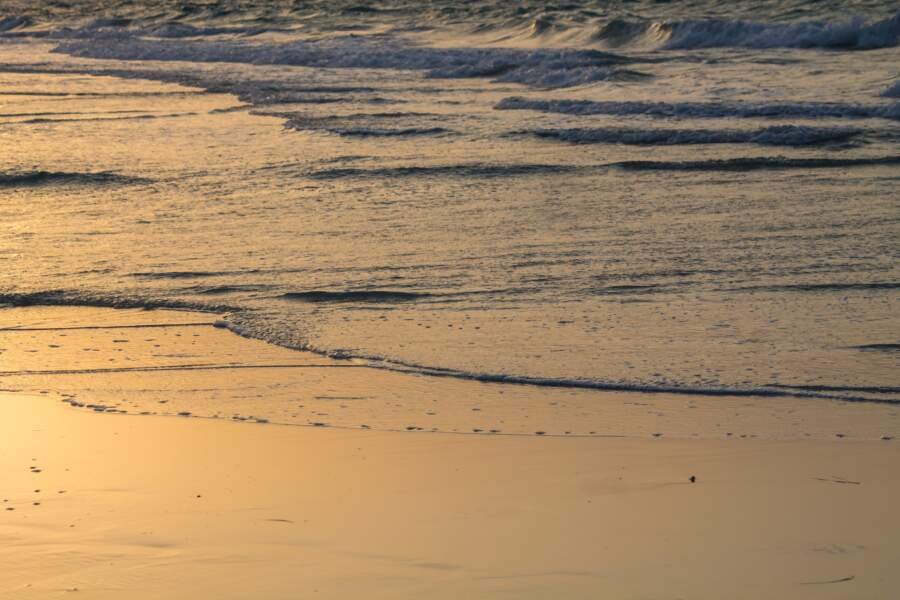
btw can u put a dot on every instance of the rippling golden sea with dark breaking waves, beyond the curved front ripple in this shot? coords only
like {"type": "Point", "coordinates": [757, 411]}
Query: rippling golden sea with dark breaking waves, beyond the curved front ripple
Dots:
{"type": "Point", "coordinates": [686, 196]}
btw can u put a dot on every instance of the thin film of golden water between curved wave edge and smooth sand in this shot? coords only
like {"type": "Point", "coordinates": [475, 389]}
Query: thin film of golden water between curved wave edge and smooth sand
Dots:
{"type": "Point", "coordinates": [184, 363]}
